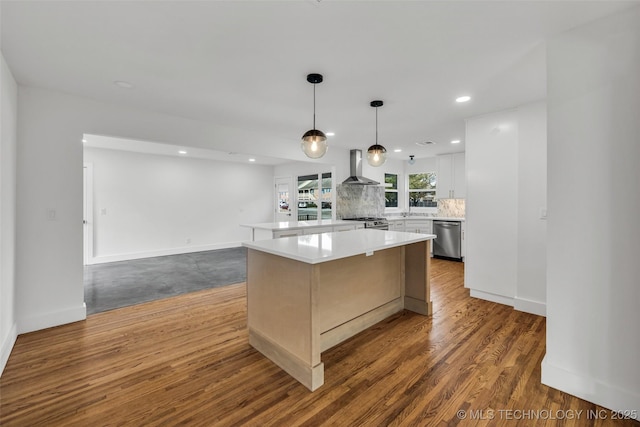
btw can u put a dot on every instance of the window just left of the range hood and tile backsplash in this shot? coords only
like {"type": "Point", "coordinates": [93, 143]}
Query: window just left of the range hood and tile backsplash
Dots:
{"type": "Point", "coordinates": [314, 197]}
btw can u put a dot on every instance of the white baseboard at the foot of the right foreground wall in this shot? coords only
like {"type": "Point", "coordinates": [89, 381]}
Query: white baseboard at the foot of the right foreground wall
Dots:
{"type": "Point", "coordinates": [591, 389]}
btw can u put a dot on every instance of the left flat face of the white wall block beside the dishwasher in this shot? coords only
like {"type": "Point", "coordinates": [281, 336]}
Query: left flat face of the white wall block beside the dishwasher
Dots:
{"type": "Point", "coordinates": [491, 260]}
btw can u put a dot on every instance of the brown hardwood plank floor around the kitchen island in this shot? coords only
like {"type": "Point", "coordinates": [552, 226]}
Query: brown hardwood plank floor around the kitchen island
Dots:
{"type": "Point", "coordinates": [186, 360]}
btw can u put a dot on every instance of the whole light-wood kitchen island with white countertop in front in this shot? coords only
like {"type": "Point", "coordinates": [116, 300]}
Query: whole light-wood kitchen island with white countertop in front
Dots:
{"type": "Point", "coordinates": [305, 294]}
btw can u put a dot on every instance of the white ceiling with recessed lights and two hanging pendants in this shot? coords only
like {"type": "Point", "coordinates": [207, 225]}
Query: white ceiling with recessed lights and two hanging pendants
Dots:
{"type": "Point", "coordinates": [243, 64]}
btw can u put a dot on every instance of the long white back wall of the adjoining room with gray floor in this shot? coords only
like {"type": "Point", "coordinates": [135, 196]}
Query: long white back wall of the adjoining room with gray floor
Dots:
{"type": "Point", "coordinates": [151, 205]}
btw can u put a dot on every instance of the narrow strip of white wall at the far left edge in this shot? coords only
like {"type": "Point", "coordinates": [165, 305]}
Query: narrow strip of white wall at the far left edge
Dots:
{"type": "Point", "coordinates": [8, 142]}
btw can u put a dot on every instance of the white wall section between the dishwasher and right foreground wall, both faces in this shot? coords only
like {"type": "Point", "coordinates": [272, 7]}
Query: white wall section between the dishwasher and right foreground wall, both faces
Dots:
{"type": "Point", "coordinates": [506, 189]}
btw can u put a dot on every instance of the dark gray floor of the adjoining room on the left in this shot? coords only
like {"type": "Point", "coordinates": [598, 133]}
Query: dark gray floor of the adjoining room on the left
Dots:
{"type": "Point", "coordinates": [120, 284]}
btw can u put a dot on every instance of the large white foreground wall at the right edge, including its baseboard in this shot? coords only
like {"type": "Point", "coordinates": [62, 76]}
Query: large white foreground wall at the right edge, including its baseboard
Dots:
{"type": "Point", "coordinates": [593, 275]}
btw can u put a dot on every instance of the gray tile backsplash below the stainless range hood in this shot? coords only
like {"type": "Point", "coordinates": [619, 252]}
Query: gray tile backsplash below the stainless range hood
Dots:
{"type": "Point", "coordinates": [354, 201]}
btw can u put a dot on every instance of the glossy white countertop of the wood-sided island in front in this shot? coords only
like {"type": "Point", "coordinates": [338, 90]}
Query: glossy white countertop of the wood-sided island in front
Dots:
{"type": "Point", "coordinates": [317, 248]}
